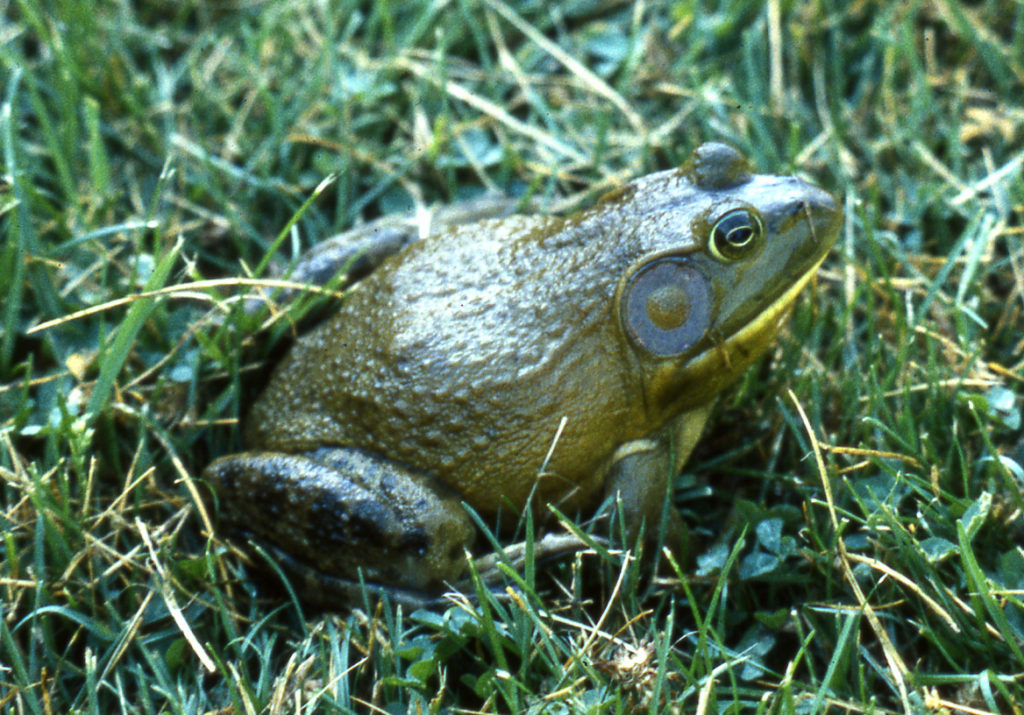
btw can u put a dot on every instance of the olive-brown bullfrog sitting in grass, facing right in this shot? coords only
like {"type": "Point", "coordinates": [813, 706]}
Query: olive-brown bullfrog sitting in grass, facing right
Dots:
{"type": "Point", "coordinates": [523, 360]}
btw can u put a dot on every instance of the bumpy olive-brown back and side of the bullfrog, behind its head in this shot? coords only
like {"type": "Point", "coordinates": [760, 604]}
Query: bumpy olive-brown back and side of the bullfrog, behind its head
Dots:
{"type": "Point", "coordinates": [461, 357]}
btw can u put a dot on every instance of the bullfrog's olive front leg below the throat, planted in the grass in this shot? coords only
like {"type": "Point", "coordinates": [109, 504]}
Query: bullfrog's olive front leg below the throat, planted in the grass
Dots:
{"type": "Point", "coordinates": [641, 474]}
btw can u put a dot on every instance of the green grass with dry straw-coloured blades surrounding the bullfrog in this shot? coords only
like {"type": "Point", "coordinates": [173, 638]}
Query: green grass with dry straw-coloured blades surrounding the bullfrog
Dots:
{"type": "Point", "coordinates": [856, 508]}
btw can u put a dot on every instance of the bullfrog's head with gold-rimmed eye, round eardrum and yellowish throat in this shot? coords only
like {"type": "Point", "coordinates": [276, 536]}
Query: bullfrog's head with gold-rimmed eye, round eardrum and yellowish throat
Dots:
{"type": "Point", "coordinates": [724, 254]}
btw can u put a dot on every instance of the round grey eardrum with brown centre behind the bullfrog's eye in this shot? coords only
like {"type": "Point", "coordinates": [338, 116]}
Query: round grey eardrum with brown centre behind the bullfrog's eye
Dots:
{"type": "Point", "coordinates": [667, 307]}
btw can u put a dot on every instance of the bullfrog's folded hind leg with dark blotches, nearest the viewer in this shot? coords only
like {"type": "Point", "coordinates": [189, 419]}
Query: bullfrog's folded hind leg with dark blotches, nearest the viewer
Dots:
{"type": "Point", "coordinates": [339, 512]}
